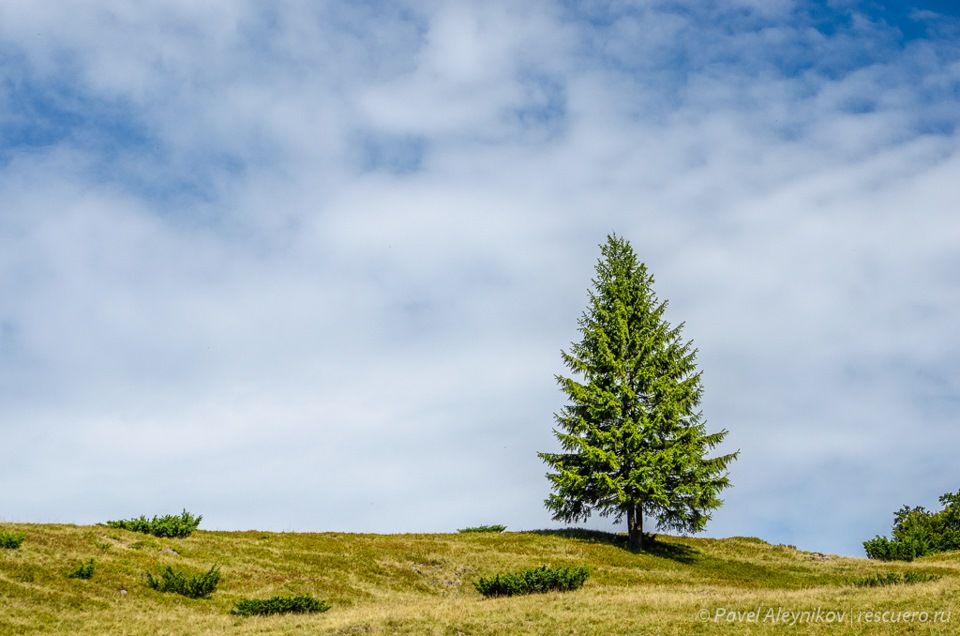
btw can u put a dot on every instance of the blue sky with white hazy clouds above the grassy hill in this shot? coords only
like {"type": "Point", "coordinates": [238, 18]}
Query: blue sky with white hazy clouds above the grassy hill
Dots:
{"type": "Point", "coordinates": [301, 266]}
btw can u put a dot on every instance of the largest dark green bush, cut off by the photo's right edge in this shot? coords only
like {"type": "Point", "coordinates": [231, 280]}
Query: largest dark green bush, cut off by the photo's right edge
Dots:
{"type": "Point", "coordinates": [918, 532]}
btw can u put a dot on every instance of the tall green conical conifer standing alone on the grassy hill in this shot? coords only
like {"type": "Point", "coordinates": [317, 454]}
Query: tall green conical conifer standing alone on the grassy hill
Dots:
{"type": "Point", "coordinates": [634, 442]}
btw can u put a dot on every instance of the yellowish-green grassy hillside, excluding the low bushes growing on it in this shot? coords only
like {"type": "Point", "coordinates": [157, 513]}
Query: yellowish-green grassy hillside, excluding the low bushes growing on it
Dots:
{"type": "Point", "coordinates": [423, 584]}
